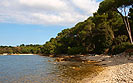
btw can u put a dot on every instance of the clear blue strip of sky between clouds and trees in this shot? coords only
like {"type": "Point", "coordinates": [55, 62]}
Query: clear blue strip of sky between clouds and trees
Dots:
{"type": "Point", "coordinates": [16, 34]}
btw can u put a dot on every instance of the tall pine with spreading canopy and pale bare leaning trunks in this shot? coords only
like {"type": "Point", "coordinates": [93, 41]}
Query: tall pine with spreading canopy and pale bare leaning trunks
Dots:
{"type": "Point", "coordinates": [122, 7]}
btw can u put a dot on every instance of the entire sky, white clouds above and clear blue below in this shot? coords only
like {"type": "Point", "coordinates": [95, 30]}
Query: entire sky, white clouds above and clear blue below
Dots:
{"type": "Point", "coordinates": [36, 21]}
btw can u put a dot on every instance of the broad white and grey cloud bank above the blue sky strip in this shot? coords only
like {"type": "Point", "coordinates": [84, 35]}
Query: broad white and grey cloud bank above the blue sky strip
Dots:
{"type": "Point", "coordinates": [47, 12]}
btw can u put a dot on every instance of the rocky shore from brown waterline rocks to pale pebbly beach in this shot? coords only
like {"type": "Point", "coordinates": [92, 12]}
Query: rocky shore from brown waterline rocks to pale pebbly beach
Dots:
{"type": "Point", "coordinates": [116, 68]}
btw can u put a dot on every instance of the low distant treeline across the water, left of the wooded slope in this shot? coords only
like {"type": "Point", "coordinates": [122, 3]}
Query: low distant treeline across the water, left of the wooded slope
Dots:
{"type": "Point", "coordinates": [22, 49]}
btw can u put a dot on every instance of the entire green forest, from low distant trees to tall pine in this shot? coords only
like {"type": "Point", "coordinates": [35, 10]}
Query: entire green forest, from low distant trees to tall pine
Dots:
{"type": "Point", "coordinates": [107, 31]}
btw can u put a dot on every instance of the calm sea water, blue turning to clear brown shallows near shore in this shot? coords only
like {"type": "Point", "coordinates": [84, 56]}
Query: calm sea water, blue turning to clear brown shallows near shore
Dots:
{"type": "Point", "coordinates": [38, 69]}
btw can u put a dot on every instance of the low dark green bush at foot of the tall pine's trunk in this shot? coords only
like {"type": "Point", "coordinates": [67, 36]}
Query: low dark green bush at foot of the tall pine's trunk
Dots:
{"type": "Point", "coordinates": [121, 48]}
